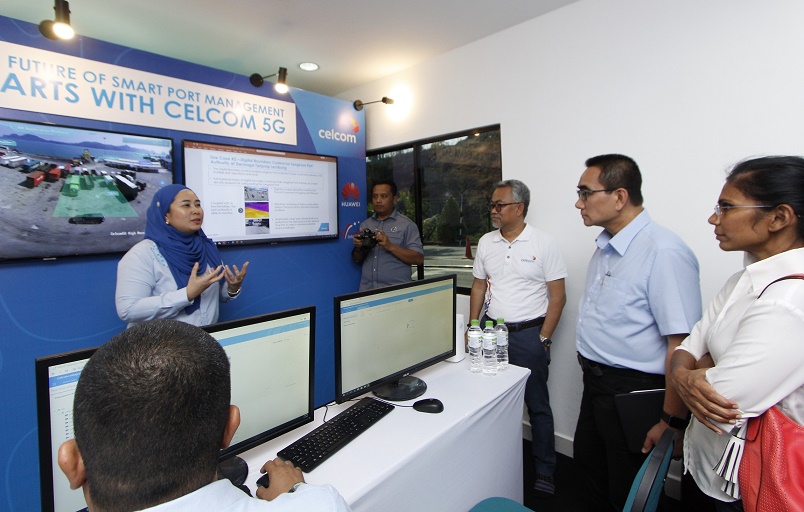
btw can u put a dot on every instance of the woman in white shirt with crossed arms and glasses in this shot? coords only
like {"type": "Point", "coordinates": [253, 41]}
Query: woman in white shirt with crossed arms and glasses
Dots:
{"type": "Point", "coordinates": [747, 353]}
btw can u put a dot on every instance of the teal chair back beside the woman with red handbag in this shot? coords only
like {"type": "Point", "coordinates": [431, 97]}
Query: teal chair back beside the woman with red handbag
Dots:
{"type": "Point", "coordinates": [649, 482]}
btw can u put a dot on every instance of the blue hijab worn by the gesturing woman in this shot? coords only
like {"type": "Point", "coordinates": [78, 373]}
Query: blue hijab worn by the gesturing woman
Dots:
{"type": "Point", "coordinates": [180, 250]}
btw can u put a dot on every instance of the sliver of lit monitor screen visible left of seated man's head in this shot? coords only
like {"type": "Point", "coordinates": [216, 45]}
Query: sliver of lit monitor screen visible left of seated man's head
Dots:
{"type": "Point", "coordinates": [62, 381]}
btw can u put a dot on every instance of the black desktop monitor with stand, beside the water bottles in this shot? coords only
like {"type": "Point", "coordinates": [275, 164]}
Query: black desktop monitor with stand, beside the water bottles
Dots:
{"type": "Point", "coordinates": [384, 335]}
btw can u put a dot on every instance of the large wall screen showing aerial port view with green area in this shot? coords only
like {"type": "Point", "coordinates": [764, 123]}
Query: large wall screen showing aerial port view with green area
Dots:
{"type": "Point", "coordinates": [71, 191]}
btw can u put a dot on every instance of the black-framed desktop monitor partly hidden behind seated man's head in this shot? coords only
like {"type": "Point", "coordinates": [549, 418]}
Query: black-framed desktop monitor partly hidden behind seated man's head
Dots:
{"type": "Point", "coordinates": [272, 361]}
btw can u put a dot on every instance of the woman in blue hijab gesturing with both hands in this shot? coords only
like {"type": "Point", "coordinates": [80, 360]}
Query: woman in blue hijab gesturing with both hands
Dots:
{"type": "Point", "coordinates": [176, 271]}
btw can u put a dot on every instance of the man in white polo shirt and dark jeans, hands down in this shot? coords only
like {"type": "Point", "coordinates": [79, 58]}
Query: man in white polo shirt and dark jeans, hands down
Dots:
{"type": "Point", "coordinates": [519, 276]}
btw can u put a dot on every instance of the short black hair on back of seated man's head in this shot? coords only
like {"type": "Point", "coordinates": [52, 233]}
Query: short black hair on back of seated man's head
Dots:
{"type": "Point", "coordinates": [151, 407]}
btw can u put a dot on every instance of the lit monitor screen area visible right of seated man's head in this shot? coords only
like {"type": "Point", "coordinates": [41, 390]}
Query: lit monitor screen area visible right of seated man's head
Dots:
{"type": "Point", "coordinates": [270, 367]}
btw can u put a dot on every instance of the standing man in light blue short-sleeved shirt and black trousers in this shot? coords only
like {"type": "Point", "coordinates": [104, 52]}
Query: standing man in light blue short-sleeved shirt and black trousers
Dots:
{"type": "Point", "coordinates": [641, 298]}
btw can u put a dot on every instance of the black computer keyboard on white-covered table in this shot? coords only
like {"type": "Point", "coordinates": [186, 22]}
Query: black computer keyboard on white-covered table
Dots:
{"type": "Point", "coordinates": [322, 443]}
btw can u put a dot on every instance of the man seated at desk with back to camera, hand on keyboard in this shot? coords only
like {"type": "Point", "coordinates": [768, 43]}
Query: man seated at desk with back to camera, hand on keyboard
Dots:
{"type": "Point", "coordinates": [151, 413]}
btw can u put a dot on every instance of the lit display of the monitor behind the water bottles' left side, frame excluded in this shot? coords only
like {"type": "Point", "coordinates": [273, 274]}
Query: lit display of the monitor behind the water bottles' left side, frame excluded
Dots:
{"type": "Point", "coordinates": [416, 326]}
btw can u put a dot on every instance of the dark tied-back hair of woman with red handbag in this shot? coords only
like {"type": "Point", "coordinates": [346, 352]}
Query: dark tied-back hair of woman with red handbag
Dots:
{"type": "Point", "coordinates": [772, 180]}
